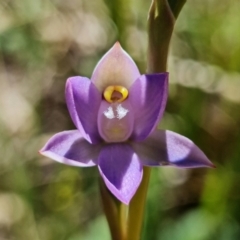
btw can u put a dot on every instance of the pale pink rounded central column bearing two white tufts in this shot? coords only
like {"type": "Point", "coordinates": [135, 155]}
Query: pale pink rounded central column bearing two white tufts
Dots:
{"type": "Point", "coordinates": [115, 121]}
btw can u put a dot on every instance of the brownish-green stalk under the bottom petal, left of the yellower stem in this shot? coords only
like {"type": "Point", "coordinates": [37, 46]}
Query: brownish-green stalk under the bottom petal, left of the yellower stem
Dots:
{"type": "Point", "coordinates": [115, 211]}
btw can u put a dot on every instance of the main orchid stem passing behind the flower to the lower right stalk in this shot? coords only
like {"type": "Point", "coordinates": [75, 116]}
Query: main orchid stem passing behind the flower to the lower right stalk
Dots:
{"type": "Point", "coordinates": [161, 19]}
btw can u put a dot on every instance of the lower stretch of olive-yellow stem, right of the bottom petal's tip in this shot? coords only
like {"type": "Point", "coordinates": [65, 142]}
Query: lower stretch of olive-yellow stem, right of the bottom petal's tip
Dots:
{"type": "Point", "coordinates": [136, 208]}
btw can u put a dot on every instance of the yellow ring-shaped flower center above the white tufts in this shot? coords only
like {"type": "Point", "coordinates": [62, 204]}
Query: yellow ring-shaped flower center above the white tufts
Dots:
{"type": "Point", "coordinates": [115, 94]}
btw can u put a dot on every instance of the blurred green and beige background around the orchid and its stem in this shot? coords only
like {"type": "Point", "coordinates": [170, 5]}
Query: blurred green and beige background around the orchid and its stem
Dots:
{"type": "Point", "coordinates": [42, 42]}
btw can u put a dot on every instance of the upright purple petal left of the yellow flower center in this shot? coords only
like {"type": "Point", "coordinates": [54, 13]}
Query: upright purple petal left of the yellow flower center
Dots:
{"type": "Point", "coordinates": [83, 101]}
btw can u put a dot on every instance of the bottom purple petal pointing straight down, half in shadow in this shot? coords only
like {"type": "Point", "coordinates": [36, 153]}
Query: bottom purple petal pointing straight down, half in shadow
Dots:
{"type": "Point", "coordinates": [121, 170]}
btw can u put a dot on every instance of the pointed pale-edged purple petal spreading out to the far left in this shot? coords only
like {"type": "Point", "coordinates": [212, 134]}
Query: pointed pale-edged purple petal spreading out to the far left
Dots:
{"type": "Point", "coordinates": [70, 148]}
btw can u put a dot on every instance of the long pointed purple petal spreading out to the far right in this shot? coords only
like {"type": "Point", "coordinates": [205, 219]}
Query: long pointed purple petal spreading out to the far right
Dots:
{"type": "Point", "coordinates": [168, 148]}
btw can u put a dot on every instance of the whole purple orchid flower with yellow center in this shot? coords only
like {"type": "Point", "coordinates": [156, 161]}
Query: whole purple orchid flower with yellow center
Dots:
{"type": "Point", "coordinates": [116, 115]}
